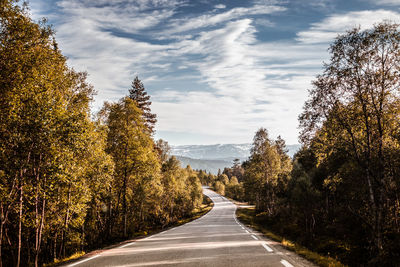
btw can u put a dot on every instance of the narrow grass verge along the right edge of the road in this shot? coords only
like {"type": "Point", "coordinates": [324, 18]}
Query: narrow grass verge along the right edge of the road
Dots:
{"type": "Point", "coordinates": [248, 217]}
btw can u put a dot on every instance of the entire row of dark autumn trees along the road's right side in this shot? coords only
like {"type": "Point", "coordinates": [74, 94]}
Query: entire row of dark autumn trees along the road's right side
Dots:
{"type": "Point", "coordinates": [340, 195]}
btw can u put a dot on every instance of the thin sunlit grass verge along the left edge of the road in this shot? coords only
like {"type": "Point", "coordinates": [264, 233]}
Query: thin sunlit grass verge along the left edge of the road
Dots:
{"type": "Point", "coordinates": [197, 213]}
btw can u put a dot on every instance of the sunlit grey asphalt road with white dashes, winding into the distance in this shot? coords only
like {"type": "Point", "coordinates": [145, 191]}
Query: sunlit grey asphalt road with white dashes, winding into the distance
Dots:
{"type": "Point", "coordinates": [216, 239]}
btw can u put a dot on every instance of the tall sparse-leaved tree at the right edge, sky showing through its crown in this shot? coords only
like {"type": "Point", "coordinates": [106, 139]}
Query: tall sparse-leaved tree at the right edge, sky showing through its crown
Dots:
{"type": "Point", "coordinates": [350, 123]}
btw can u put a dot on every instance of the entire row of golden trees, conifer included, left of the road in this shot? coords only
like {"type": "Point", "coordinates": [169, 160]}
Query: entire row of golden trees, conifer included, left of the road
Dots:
{"type": "Point", "coordinates": [69, 182]}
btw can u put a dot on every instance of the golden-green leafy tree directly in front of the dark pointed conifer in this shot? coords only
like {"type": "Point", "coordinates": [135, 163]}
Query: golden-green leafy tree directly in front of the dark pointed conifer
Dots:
{"type": "Point", "coordinates": [136, 181]}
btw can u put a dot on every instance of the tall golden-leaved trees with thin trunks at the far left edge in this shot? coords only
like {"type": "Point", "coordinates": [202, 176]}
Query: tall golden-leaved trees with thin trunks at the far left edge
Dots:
{"type": "Point", "coordinates": [46, 140]}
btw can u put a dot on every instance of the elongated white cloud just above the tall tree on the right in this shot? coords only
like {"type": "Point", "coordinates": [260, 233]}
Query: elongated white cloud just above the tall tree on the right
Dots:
{"type": "Point", "coordinates": [326, 30]}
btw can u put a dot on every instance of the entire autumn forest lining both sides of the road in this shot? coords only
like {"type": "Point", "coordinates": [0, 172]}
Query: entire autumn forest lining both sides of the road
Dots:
{"type": "Point", "coordinates": [72, 180]}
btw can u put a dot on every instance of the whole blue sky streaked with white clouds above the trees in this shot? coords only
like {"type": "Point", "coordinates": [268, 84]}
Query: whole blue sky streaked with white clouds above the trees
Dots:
{"type": "Point", "coordinates": [216, 71]}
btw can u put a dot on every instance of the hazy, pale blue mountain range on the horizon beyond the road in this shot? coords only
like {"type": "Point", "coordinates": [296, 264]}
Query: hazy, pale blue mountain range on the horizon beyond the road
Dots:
{"type": "Point", "coordinates": [214, 157]}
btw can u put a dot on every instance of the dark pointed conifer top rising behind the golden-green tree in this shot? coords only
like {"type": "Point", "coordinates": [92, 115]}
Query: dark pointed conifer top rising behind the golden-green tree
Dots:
{"type": "Point", "coordinates": [138, 93]}
